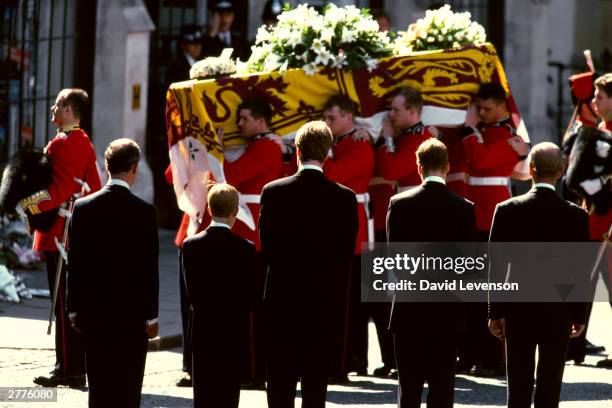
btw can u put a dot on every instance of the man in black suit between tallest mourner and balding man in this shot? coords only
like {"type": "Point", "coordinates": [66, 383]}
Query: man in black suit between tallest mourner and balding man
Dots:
{"type": "Point", "coordinates": [426, 335]}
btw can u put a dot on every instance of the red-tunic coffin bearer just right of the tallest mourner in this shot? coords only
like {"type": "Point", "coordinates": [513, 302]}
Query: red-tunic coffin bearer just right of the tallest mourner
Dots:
{"type": "Point", "coordinates": [351, 163]}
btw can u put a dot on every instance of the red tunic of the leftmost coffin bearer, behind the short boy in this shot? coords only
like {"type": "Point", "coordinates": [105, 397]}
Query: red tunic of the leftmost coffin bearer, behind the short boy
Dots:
{"type": "Point", "coordinates": [260, 164]}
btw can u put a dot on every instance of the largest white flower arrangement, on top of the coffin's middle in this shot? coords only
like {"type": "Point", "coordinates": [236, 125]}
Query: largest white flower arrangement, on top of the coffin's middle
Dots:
{"type": "Point", "coordinates": [341, 37]}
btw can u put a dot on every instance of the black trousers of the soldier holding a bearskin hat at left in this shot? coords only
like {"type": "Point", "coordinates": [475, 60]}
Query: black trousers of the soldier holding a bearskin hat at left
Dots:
{"type": "Point", "coordinates": [69, 348]}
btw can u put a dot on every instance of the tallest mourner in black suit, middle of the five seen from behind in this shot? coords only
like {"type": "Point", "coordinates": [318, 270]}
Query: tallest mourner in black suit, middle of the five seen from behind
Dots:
{"type": "Point", "coordinates": [308, 227]}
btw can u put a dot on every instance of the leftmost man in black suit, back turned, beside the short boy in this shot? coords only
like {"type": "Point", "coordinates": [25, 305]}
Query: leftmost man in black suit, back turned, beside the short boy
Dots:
{"type": "Point", "coordinates": [113, 280]}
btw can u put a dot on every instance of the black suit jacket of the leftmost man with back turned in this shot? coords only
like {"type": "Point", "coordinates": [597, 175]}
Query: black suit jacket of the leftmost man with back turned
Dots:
{"type": "Point", "coordinates": [112, 260]}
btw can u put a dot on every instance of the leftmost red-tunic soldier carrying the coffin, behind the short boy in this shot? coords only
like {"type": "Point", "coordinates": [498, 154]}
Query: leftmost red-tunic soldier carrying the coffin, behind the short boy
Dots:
{"type": "Point", "coordinates": [258, 165]}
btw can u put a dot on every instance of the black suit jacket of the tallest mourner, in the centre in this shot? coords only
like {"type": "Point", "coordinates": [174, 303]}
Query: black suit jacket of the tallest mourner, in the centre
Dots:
{"type": "Point", "coordinates": [308, 226]}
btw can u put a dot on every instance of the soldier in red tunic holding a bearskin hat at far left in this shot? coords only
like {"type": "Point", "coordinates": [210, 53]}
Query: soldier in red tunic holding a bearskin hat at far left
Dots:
{"type": "Point", "coordinates": [73, 159]}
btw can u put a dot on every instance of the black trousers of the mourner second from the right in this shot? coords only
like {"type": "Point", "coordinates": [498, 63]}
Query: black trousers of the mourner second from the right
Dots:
{"type": "Point", "coordinates": [425, 357]}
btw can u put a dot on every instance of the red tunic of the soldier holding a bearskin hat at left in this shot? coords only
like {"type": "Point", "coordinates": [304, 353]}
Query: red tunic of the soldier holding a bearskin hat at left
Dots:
{"type": "Point", "coordinates": [73, 157]}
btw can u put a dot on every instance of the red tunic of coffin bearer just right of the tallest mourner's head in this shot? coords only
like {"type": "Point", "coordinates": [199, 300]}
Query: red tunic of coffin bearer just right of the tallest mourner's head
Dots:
{"type": "Point", "coordinates": [352, 165]}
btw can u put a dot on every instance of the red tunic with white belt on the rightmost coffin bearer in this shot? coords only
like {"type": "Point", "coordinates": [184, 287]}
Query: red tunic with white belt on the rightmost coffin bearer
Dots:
{"type": "Point", "coordinates": [491, 161]}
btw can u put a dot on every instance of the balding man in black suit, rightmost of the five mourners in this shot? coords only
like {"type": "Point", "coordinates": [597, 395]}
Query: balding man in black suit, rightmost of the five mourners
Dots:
{"type": "Point", "coordinates": [537, 216]}
